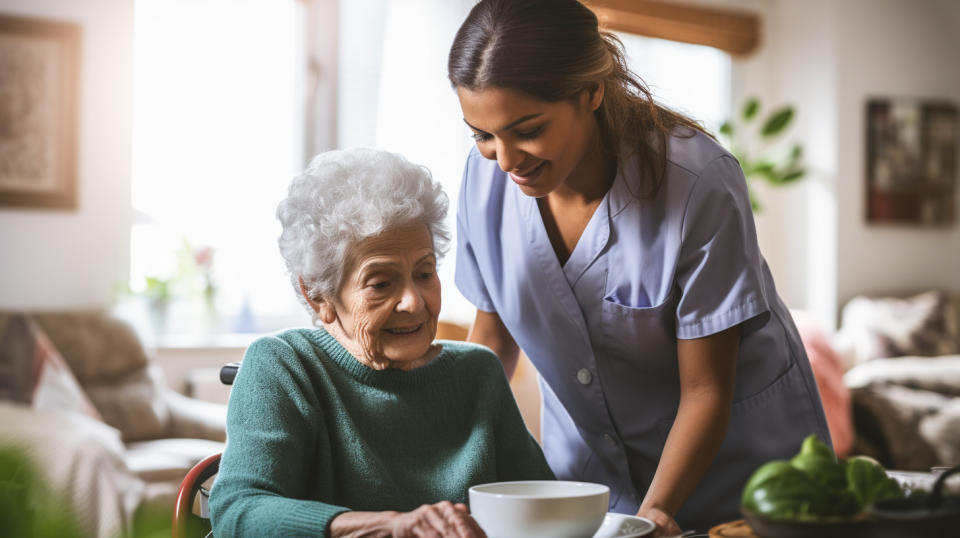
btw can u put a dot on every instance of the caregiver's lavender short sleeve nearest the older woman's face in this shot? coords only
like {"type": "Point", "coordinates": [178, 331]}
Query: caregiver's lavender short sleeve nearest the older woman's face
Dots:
{"type": "Point", "coordinates": [467, 274]}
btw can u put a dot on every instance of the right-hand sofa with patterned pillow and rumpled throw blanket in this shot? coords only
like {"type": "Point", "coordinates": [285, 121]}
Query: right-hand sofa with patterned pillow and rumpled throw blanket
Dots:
{"type": "Point", "coordinates": [901, 357]}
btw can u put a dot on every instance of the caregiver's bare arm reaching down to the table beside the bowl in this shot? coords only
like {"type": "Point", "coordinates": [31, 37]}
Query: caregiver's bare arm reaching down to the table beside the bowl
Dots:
{"type": "Point", "coordinates": [707, 367]}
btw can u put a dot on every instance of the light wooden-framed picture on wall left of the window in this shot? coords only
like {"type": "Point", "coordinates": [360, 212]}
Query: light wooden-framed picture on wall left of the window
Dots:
{"type": "Point", "coordinates": [39, 86]}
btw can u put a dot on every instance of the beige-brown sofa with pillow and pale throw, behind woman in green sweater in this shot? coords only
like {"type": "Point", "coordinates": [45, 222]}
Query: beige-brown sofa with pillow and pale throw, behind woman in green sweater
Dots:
{"type": "Point", "coordinates": [81, 397]}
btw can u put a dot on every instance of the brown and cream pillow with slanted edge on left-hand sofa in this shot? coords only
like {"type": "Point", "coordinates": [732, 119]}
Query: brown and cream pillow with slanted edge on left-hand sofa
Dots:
{"type": "Point", "coordinates": [33, 372]}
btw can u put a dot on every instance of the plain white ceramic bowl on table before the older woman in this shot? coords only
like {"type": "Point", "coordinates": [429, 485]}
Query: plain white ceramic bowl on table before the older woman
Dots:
{"type": "Point", "coordinates": [539, 508]}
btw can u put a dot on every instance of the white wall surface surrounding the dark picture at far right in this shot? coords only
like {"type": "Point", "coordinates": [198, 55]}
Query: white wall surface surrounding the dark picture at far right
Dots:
{"type": "Point", "coordinates": [896, 48]}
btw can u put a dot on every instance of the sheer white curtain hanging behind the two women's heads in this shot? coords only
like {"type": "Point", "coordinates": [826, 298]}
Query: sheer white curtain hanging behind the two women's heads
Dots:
{"type": "Point", "coordinates": [407, 104]}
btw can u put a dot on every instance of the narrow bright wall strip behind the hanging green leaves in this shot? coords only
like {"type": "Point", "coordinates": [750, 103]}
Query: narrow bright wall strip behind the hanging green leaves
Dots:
{"type": "Point", "coordinates": [807, 75]}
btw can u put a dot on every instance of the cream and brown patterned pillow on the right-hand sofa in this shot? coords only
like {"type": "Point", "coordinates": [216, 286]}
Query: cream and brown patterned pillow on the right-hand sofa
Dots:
{"type": "Point", "coordinates": [924, 325]}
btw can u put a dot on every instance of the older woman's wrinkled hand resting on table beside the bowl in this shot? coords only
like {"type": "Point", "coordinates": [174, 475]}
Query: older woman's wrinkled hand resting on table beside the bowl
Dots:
{"type": "Point", "coordinates": [441, 520]}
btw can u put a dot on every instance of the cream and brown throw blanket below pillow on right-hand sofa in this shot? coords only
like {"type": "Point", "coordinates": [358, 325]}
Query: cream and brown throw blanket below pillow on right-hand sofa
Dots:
{"type": "Point", "coordinates": [907, 411]}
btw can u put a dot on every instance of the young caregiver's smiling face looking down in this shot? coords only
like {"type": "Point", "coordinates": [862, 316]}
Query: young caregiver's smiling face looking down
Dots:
{"type": "Point", "coordinates": [541, 145]}
